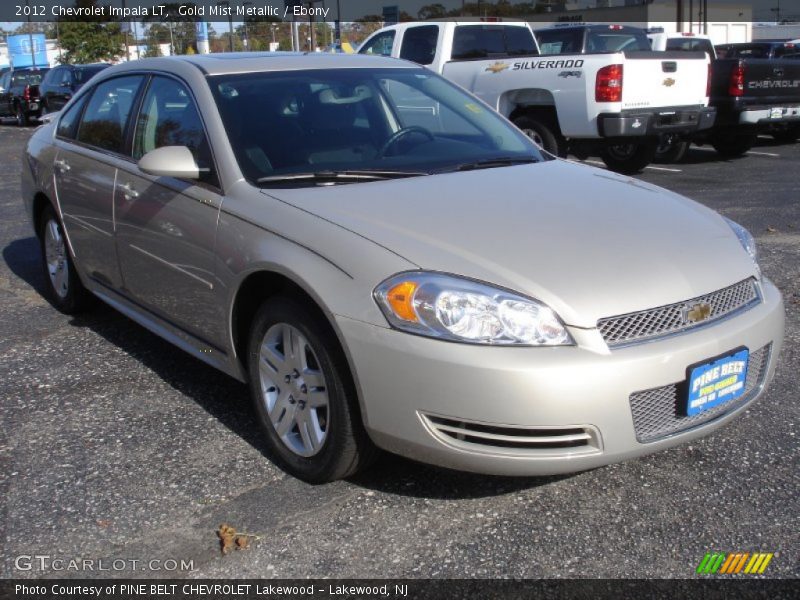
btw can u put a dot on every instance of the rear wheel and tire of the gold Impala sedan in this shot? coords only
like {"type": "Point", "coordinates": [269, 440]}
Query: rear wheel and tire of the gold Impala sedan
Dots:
{"type": "Point", "coordinates": [64, 287]}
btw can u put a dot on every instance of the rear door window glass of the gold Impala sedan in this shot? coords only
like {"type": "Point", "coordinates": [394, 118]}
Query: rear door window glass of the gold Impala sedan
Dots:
{"type": "Point", "coordinates": [106, 115]}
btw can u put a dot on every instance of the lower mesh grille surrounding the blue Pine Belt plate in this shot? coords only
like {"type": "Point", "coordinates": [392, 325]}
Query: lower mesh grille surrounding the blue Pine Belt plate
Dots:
{"type": "Point", "coordinates": [658, 412]}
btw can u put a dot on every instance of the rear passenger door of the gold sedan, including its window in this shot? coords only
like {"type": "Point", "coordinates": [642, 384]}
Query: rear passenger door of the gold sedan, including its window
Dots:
{"type": "Point", "coordinates": [91, 147]}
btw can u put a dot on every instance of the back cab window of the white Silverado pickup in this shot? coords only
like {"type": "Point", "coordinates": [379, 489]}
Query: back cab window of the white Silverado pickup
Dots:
{"type": "Point", "coordinates": [488, 41]}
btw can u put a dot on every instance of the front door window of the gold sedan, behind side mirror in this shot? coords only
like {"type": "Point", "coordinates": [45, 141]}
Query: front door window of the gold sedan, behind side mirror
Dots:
{"type": "Point", "coordinates": [169, 117]}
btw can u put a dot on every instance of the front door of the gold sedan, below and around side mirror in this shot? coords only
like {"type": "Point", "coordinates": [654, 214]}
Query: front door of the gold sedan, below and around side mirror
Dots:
{"type": "Point", "coordinates": [166, 227]}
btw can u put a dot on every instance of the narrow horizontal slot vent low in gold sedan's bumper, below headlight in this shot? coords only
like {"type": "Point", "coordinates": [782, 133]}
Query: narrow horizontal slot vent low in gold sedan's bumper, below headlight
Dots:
{"type": "Point", "coordinates": [478, 436]}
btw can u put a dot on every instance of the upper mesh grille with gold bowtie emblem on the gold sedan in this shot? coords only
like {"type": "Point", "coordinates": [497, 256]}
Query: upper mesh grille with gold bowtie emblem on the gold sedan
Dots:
{"type": "Point", "coordinates": [656, 322]}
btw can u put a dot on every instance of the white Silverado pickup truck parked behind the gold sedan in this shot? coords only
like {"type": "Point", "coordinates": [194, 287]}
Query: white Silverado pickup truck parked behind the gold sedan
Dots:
{"type": "Point", "coordinates": [612, 102]}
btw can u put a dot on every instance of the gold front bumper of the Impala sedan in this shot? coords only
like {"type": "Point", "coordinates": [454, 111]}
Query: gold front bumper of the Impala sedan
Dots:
{"type": "Point", "coordinates": [416, 391]}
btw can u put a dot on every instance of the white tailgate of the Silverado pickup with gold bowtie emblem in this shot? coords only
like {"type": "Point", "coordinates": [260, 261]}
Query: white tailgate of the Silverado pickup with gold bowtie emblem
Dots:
{"type": "Point", "coordinates": [664, 79]}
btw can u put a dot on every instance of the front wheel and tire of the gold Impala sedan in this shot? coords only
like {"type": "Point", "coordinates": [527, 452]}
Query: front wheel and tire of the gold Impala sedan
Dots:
{"type": "Point", "coordinates": [305, 391]}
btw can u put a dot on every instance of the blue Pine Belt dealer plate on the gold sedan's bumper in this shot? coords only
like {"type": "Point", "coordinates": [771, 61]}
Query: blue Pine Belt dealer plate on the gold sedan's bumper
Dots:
{"type": "Point", "coordinates": [718, 381]}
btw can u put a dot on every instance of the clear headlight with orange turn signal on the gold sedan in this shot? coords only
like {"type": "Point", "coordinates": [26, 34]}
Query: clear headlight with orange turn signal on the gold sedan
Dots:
{"type": "Point", "coordinates": [452, 308]}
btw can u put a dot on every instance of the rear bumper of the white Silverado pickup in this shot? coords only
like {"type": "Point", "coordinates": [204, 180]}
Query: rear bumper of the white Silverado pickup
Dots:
{"type": "Point", "coordinates": [655, 122]}
